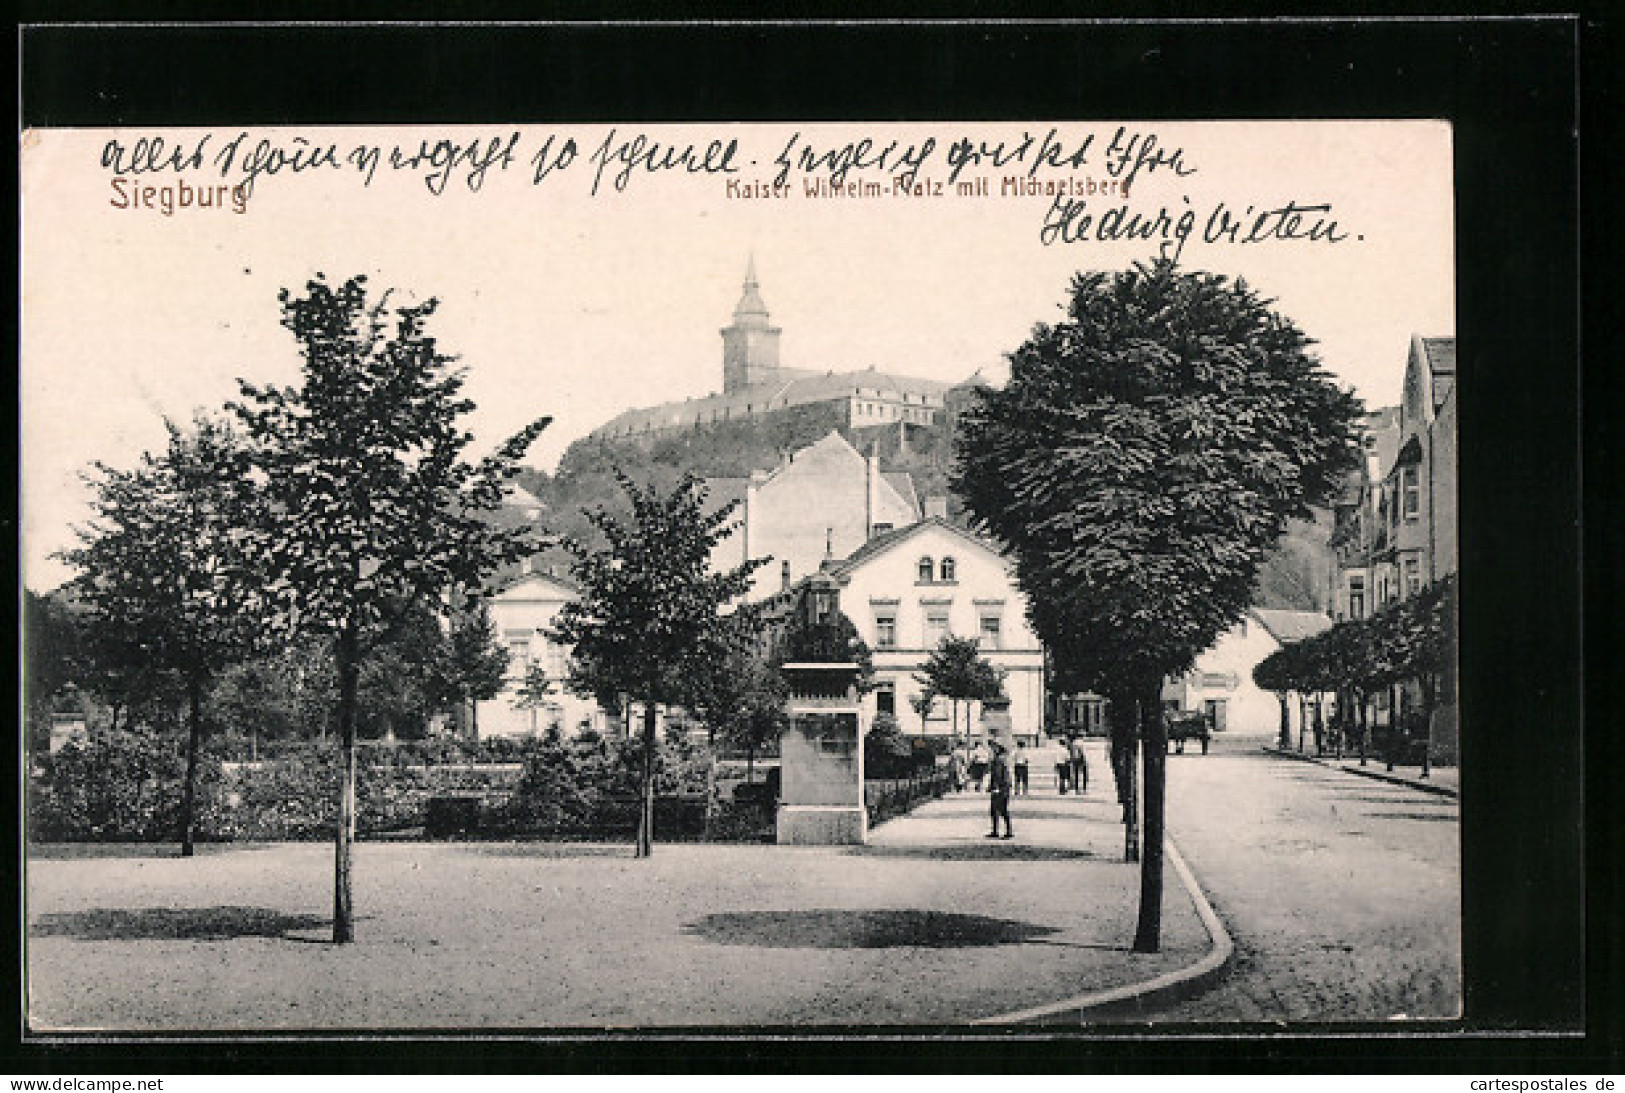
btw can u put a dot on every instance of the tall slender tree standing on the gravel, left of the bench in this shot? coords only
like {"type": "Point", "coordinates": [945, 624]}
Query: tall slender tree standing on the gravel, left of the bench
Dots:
{"type": "Point", "coordinates": [371, 506]}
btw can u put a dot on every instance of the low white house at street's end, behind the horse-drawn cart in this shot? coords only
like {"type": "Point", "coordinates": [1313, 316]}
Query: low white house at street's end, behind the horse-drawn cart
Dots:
{"type": "Point", "coordinates": [1221, 685]}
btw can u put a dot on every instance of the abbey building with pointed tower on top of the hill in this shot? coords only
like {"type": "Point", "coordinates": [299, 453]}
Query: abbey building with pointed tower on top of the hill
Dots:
{"type": "Point", "coordinates": [755, 384]}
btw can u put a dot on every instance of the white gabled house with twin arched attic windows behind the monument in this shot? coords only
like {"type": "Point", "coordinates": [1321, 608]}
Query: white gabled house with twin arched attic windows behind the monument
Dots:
{"type": "Point", "coordinates": [908, 589]}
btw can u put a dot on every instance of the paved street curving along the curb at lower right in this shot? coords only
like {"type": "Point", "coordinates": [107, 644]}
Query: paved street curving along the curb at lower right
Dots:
{"type": "Point", "coordinates": [1341, 892]}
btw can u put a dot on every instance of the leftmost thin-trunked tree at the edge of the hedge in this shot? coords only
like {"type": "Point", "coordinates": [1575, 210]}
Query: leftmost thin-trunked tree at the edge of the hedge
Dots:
{"type": "Point", "coordinates": [168, 574]}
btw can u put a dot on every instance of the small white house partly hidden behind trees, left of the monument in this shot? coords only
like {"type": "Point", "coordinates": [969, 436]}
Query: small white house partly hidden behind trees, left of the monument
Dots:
{"type": "Point", "coordinates": [522, 613]}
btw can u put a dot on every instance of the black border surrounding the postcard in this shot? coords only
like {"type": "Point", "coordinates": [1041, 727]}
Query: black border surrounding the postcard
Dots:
{"type": "Point", "coordinates": [1509, 87]}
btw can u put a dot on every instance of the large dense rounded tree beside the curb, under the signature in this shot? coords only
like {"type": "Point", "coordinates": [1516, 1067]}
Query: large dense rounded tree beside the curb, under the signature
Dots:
{"type": "Point", "coordinates": [1143, 459]}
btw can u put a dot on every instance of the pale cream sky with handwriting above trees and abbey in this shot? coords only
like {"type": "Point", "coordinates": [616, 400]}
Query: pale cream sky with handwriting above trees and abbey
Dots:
{"type": "Point", "coordinates": [578, 305]}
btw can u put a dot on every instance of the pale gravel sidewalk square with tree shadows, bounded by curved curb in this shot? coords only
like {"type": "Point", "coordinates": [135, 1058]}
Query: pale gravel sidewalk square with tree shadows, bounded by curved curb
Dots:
{"type": "Point", "coordinates": [932, 925]}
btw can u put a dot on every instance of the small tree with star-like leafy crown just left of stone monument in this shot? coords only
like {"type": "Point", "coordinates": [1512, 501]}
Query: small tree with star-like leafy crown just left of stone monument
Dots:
{"type": "Point", "coordinates": [652, 618]}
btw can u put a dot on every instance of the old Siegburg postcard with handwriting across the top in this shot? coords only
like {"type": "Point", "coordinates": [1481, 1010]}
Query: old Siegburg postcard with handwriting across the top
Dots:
{"type": "Point", "coordinates": [984, 394]}
